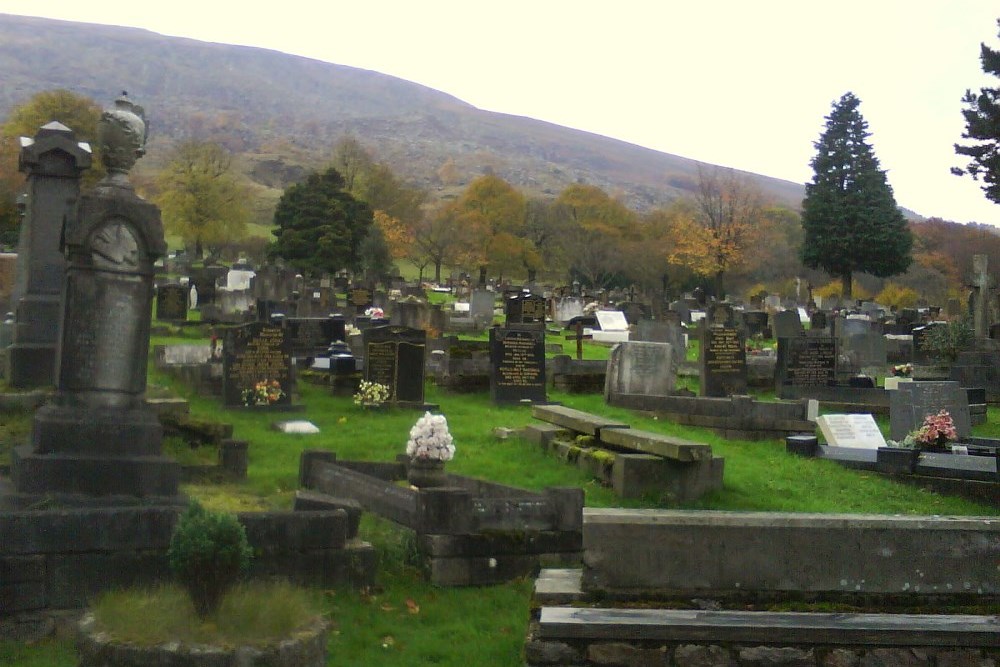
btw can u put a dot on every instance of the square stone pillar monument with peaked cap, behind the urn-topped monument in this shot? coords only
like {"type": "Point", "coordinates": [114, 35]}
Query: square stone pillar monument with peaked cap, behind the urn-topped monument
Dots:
{"type": "Point", "coordinates": [53, 162]}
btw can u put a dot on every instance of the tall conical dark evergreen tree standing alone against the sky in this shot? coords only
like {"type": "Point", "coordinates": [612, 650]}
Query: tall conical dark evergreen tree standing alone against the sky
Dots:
{"type": "Point", "coordinates": [849, 214]}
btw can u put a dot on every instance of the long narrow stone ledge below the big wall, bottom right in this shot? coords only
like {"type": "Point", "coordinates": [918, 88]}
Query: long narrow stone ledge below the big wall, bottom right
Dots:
{"type": "Point", "coordinates": [784, 628]}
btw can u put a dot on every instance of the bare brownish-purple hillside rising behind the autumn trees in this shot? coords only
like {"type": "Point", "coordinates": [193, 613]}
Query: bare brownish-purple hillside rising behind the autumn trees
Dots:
{"type": "Point", "coordinates": [289, 111]}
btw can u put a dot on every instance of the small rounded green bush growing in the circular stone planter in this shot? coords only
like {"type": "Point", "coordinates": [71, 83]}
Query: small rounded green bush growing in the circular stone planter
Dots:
{"type": "Point", "coordinates": [208, 554]}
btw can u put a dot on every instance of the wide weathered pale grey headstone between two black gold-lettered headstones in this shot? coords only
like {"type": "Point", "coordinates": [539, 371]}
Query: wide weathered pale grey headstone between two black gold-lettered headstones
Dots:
{"type": "Point", "coordinates": [642, 368]}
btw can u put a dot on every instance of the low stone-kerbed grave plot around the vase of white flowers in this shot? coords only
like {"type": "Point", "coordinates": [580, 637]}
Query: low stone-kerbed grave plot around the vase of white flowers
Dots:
{"type": "Point", "coordinates": [471, 532]}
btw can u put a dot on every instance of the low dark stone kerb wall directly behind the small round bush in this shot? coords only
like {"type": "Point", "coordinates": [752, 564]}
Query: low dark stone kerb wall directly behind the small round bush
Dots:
{"type": "Point", "coordinates": [58, 559]}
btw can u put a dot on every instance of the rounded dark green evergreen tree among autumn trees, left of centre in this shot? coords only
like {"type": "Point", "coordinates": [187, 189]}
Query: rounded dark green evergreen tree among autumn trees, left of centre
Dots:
{"type": "Point", "coordinates": [320, 226]}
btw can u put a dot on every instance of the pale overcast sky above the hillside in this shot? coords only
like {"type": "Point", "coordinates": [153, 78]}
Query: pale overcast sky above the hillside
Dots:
{"type": "Point", "coordinates": [730, 82]}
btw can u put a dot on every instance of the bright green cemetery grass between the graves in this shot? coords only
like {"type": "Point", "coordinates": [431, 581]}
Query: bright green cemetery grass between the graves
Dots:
{"type": "Point", "coordinates": [402, 620]}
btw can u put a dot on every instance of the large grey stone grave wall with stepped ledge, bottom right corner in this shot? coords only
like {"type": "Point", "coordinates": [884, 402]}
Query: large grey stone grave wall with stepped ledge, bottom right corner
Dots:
{"type": "Point", "coordinates": [640, 563]}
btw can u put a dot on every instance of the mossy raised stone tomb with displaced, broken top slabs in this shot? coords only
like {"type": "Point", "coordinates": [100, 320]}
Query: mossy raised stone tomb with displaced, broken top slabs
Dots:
{"type": "Point", "coordinates": [633, 462]}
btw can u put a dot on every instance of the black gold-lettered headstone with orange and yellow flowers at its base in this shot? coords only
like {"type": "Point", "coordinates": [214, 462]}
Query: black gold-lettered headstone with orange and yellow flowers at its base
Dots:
{"type": "Point", "coordinates": [256, 366]}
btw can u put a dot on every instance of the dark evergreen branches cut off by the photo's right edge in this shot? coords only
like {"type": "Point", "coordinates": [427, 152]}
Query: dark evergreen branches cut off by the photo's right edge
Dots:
{"type": "Point", "coordinates": [982, 124]}
